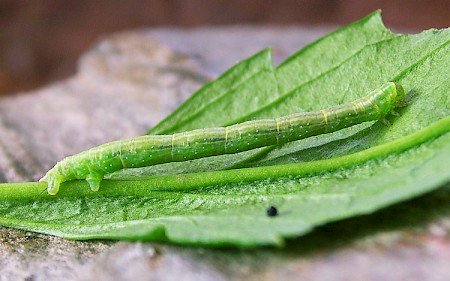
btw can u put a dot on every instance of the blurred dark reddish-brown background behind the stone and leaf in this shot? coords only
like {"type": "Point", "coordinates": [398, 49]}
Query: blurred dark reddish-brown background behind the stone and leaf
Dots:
{"type": "Point", "coordinates": [40, 41]}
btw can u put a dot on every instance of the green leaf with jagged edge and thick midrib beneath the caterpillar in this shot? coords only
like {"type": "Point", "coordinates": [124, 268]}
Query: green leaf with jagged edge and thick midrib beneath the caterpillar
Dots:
{"type": "Point", "coordinates": [311, 182]}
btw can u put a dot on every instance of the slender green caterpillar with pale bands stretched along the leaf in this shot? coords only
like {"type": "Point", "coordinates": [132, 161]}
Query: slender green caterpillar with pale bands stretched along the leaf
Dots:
{"type": "Point", "coordinates": [149, 150]}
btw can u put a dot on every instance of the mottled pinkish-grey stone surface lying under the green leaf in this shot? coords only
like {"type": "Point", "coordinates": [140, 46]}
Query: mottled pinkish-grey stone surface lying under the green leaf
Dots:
{"type": "Point", "coordinates": [124, 85]}
